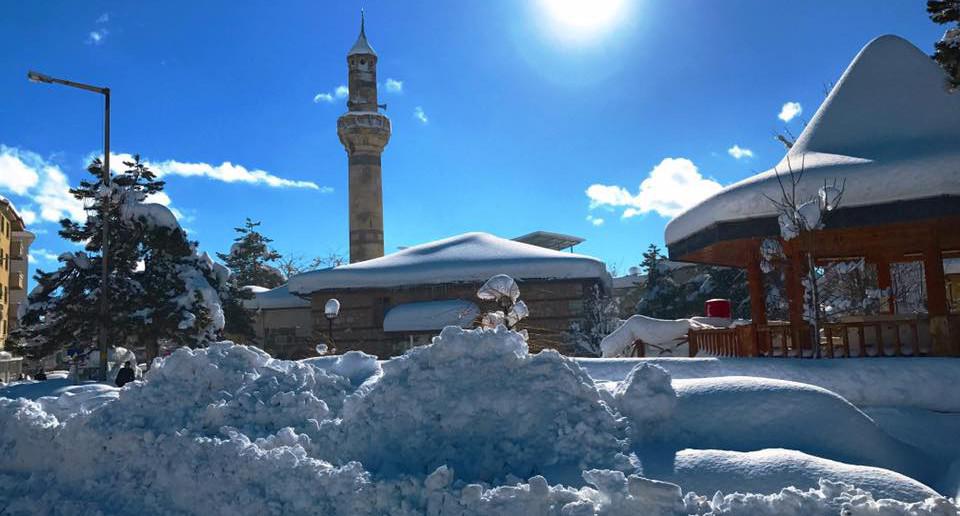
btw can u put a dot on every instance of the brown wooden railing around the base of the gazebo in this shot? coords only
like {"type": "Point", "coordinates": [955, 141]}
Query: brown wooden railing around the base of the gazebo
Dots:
{"type": "Point", "coordinates": [864, 338]}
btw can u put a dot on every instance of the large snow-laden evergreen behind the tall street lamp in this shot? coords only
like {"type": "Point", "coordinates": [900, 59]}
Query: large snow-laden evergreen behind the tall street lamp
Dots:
{"type": "Point", "coordinates": [161, 290]}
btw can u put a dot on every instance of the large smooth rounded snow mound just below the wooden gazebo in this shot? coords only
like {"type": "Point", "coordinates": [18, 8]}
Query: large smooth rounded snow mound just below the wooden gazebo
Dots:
{"type": "Point", "coordinates": [756, 413]}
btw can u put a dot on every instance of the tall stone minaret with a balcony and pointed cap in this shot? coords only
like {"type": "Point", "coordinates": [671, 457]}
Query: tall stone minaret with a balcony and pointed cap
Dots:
{"type": "Point", "coordinates": [364, 132]}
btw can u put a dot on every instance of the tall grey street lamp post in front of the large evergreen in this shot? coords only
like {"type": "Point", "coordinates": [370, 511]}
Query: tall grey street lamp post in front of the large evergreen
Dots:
{"type": "Point", "coordinates": [105, 217]}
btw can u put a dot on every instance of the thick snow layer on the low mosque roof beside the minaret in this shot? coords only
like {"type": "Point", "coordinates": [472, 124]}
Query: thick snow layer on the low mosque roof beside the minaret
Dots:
{"type": "Point", "coordinates": [469, 257]}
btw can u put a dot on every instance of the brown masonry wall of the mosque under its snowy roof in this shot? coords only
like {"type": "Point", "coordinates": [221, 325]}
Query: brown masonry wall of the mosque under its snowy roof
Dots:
{"type": "Point", "coordinates": [554, 305]}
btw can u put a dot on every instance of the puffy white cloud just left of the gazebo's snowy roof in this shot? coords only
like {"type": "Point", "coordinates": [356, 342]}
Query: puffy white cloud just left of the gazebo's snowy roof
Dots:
{"type": "Point", "coordinates": [672, 186]}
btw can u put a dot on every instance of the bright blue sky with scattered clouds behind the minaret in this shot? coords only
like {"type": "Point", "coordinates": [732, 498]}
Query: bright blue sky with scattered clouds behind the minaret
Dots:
{"type": "Point", "coordinates": [505, 117]}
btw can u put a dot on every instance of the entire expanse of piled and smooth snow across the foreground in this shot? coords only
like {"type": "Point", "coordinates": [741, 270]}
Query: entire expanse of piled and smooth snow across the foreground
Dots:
{"type": "Point", "coordinates": [474, 424]}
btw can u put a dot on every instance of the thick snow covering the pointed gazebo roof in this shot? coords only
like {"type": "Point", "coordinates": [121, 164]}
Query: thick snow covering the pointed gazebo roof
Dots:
{"type": "Point", "coordinates": [889, 128]}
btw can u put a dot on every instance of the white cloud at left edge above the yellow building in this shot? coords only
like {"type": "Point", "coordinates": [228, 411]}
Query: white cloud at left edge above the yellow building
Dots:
{"type": "Point", "coordinates": [27, 174]}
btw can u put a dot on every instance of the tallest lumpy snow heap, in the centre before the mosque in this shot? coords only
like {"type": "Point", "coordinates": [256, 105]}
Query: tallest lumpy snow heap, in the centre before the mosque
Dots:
{"type": "Point", "coordinates": [478, 402]}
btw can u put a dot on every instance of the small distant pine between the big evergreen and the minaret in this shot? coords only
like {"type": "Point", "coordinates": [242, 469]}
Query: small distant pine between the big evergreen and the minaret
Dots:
{"type": "Point", "coordinates": [249, 258]}
